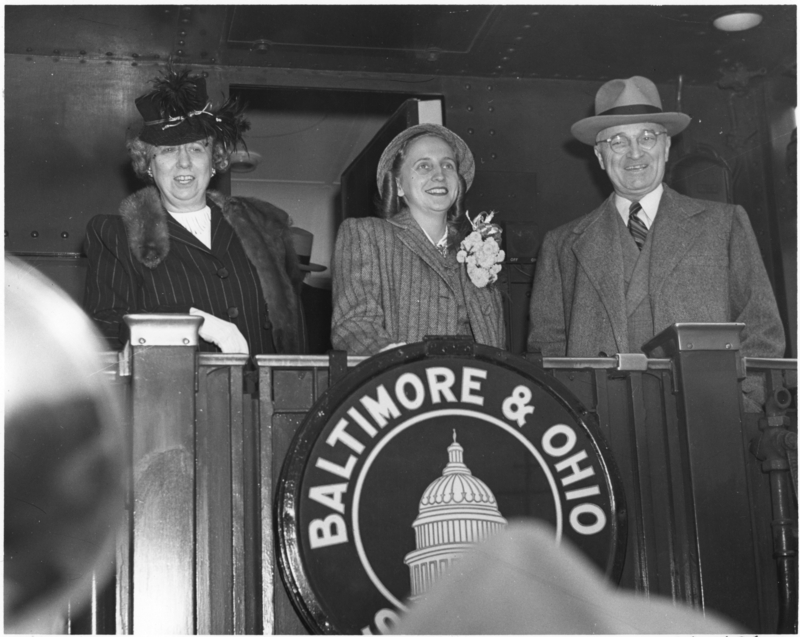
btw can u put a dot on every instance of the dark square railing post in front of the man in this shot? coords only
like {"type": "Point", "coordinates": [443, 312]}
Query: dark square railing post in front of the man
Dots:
{"type": "Point", "coordinates": [708, 368]}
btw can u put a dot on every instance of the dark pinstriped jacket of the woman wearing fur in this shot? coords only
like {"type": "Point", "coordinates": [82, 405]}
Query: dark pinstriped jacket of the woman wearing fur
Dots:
{"type": "Point", "coordinates": [216, 281]}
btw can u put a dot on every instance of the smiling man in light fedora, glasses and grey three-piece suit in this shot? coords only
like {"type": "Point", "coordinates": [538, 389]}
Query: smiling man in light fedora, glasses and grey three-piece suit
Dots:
{"type": "Point", "coordinates": [648, 257]}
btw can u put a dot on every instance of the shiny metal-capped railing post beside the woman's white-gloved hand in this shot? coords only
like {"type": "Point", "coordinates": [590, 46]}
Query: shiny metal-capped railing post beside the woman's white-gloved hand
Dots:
{"type": "Point", "coordinates": [163, 452]}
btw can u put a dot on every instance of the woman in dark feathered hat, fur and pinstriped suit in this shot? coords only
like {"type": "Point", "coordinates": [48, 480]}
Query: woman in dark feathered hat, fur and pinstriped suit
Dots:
{"type": "Point", "coordinates": [177, 247]}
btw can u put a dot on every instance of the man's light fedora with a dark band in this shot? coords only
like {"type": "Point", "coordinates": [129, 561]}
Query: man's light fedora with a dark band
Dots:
{"type": "Point", "coordinates": [631, 101]}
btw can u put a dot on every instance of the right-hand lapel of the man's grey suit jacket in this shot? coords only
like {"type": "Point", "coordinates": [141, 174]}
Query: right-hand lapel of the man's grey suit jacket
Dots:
{"type": "Point", "coordinates": [674, 232]}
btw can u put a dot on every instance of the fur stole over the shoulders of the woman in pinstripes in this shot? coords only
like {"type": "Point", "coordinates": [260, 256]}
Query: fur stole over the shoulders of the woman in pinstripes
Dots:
{"type": "Point", "coordinates": [262, 230]}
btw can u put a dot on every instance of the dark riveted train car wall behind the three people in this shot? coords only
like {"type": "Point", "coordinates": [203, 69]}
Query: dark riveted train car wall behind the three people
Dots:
{"type": "Point", "coordinates": [67, 121]}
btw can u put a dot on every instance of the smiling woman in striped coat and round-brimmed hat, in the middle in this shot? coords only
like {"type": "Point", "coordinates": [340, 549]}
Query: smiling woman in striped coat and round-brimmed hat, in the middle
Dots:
{"type": "Point", "coordinates": [396, 279]}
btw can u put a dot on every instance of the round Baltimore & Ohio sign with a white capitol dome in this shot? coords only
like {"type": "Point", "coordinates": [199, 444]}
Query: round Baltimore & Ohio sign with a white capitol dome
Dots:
{"type": "Point", "coordinates": [417, 455]}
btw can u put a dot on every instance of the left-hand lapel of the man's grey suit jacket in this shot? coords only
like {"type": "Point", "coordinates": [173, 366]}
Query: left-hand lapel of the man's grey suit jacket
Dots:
{"type": "Point", "coordinates": [599, 253]}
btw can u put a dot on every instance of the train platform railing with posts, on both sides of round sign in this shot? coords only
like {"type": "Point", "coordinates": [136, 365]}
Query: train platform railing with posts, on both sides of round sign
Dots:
{"type": "Point", "coordinates": [709, 475]}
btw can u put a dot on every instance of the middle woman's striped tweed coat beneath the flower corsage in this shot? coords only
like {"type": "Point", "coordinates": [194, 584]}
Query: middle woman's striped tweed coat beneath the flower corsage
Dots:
{"type": "Point", "coordinates": [391, 285]}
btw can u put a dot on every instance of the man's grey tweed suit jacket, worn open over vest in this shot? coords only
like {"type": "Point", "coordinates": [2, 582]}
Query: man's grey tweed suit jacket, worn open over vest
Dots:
{"type": "Point", "coordinates": [705, 267]}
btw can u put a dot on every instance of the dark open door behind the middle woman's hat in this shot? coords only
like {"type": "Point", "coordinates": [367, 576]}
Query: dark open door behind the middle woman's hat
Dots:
{"type": "Point", "coordinates": [359, 189]}
